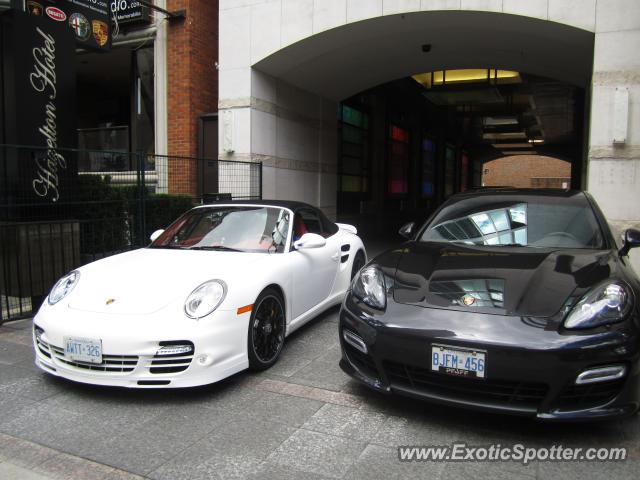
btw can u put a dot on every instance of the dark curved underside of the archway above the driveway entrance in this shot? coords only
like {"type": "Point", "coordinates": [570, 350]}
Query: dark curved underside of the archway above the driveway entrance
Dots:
{"type": "Point", "coordinates": [363, 57]}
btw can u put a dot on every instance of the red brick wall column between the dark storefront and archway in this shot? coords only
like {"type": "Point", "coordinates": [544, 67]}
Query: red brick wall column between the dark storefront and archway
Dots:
{"type": "Point", "coordinates": [192, 84]}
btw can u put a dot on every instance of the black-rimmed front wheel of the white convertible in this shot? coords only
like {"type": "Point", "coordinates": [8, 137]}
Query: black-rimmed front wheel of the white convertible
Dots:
{"type": "Point", "coordinates": [267, 327]}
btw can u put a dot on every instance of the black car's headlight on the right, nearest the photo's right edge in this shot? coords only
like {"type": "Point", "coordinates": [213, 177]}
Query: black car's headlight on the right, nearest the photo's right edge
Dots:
{"type": "Point", "coordinates": [609, 302]}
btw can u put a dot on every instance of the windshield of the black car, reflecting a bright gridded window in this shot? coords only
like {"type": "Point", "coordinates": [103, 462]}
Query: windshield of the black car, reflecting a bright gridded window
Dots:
{"type": "Point", "coordinates": [529, 221]}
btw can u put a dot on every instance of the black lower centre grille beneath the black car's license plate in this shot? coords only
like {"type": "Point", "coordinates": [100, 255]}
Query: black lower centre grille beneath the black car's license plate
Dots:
{"type": "Point", "coordinates": [504, 392]}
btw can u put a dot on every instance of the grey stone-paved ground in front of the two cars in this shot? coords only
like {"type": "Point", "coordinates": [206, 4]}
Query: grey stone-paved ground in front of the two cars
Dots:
{"type": "Point", "coordinates": [303, 418]}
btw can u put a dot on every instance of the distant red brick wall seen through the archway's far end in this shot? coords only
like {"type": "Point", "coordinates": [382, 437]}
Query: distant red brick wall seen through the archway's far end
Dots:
{"type": "Point", "coordinates": [526, 171]}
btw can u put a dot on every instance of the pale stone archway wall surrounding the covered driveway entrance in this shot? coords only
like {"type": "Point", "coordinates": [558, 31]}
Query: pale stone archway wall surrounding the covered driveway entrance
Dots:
{"type": "Point", "coordinates": [284, 65]}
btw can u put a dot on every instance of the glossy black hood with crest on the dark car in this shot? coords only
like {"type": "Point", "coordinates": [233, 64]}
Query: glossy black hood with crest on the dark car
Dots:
{"type": "Point", "coordinates": [502, 280]}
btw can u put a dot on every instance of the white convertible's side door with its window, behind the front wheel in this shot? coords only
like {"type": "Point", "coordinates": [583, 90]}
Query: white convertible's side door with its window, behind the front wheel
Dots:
{"type": "Point", "coordinates": [313, 269]}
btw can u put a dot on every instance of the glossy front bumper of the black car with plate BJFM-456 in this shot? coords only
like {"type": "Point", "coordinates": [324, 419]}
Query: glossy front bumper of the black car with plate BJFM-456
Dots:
{"type": "Point", "coordinates": [533, 376]}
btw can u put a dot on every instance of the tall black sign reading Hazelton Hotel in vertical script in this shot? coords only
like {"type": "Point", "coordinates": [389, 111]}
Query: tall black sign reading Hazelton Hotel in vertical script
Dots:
{"type": "Point", "coordinates": [38, 84]}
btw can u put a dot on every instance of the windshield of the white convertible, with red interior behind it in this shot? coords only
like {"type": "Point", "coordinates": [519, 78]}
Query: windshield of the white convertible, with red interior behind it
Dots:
{"type": "Point", "coordinates": [246, 229]}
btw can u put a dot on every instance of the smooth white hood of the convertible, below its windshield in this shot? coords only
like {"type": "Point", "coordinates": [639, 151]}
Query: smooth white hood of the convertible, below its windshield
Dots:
{"type": "Point", "coordinates": [146, 280]}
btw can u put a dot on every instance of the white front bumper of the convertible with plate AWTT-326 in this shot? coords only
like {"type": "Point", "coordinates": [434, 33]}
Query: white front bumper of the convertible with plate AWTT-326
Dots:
{"type": "Point", "coordinates": [130, 347]}
